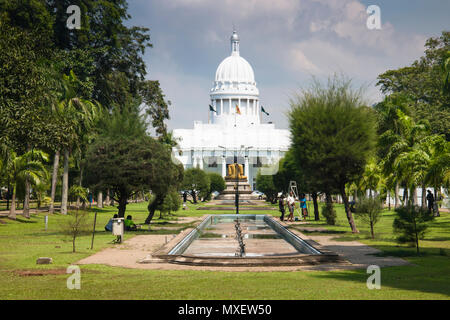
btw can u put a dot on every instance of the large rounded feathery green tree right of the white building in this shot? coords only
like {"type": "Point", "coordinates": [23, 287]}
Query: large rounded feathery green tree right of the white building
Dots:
{"type": "Point", "coordinates": [333, 136]}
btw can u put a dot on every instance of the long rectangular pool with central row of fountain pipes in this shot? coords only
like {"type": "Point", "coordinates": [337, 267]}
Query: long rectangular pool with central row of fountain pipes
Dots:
{"type": "Point", "coordinates": [261, 235]}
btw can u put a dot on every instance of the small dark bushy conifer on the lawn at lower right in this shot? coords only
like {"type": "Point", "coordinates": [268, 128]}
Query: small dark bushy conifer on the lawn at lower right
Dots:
{"type": "Point", "coordinates": [411, 223]}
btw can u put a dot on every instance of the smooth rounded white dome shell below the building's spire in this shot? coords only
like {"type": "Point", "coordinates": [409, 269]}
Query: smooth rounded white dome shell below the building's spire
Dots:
{"type": "Point", "coordinates": [235, 69]}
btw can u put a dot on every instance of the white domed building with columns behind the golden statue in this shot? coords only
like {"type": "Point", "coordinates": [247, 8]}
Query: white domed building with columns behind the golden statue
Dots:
{"type": "Point", "coordinates": [234, 130]}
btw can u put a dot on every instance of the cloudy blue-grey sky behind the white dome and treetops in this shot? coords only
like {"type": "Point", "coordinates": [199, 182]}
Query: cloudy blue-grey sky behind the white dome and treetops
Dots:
{"type": "Point", "coordinates": [286, 42]}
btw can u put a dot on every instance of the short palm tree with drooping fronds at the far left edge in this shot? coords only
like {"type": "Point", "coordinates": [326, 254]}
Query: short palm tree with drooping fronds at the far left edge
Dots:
{"type": "Point", "coordinates": [22, 168]}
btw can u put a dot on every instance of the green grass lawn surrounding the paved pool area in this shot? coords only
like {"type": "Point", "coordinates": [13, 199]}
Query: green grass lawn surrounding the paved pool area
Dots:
{"type": "Point", "coordinates": [22, 241]}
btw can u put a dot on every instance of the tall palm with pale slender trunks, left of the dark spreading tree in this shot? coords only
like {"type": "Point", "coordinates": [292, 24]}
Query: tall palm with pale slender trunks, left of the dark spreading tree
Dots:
{"type": "Point", "coordinates": [77, 115]}
